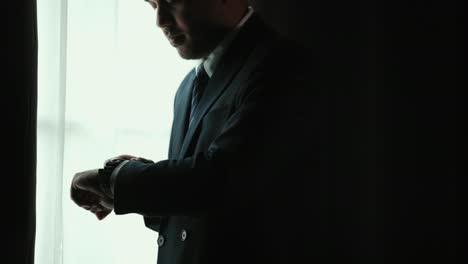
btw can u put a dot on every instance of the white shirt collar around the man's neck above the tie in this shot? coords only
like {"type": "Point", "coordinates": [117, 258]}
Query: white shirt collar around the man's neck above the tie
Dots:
{"type": "Point", "coordinates": [213, 59]}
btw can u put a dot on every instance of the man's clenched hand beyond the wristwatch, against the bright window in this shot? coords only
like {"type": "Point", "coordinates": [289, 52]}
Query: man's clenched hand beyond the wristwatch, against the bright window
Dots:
{"type": "Point", "coordinates": [86, 193]}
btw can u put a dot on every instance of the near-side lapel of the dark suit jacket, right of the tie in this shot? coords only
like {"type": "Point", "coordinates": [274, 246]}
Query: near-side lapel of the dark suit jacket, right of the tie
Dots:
{"type": "Point", "coordinates": [225, 72]}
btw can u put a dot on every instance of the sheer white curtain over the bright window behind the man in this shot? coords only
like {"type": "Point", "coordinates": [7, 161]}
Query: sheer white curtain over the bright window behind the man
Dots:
{"type": "Point", "coordinates": [107, 78]}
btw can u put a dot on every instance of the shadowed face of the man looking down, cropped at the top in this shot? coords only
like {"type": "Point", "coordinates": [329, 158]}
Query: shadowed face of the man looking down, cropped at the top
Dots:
{"type": "Point", "coordinates": [192, 26]}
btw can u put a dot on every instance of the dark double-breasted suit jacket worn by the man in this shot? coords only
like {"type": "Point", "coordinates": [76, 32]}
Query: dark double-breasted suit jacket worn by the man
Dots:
{"type": "Point", "coordinates": [233, 182]}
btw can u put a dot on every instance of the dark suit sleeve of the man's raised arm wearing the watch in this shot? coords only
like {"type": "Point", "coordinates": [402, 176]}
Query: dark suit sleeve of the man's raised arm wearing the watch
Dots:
{"type": "Point", "coordinates": [225, 173]}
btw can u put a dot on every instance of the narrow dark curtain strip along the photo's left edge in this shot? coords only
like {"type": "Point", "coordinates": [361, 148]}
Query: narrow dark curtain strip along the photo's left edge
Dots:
{"type": "Point", "coordinates": [19, 108]}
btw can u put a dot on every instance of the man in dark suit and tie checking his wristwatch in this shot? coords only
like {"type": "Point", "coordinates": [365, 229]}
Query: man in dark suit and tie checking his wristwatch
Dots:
{"type": "Point", "coordinates": [234, 176]}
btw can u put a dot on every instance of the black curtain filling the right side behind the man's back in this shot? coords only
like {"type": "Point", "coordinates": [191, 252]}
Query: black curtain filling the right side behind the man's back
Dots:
{"type": "Point", "coordinates": [394, 116]}
